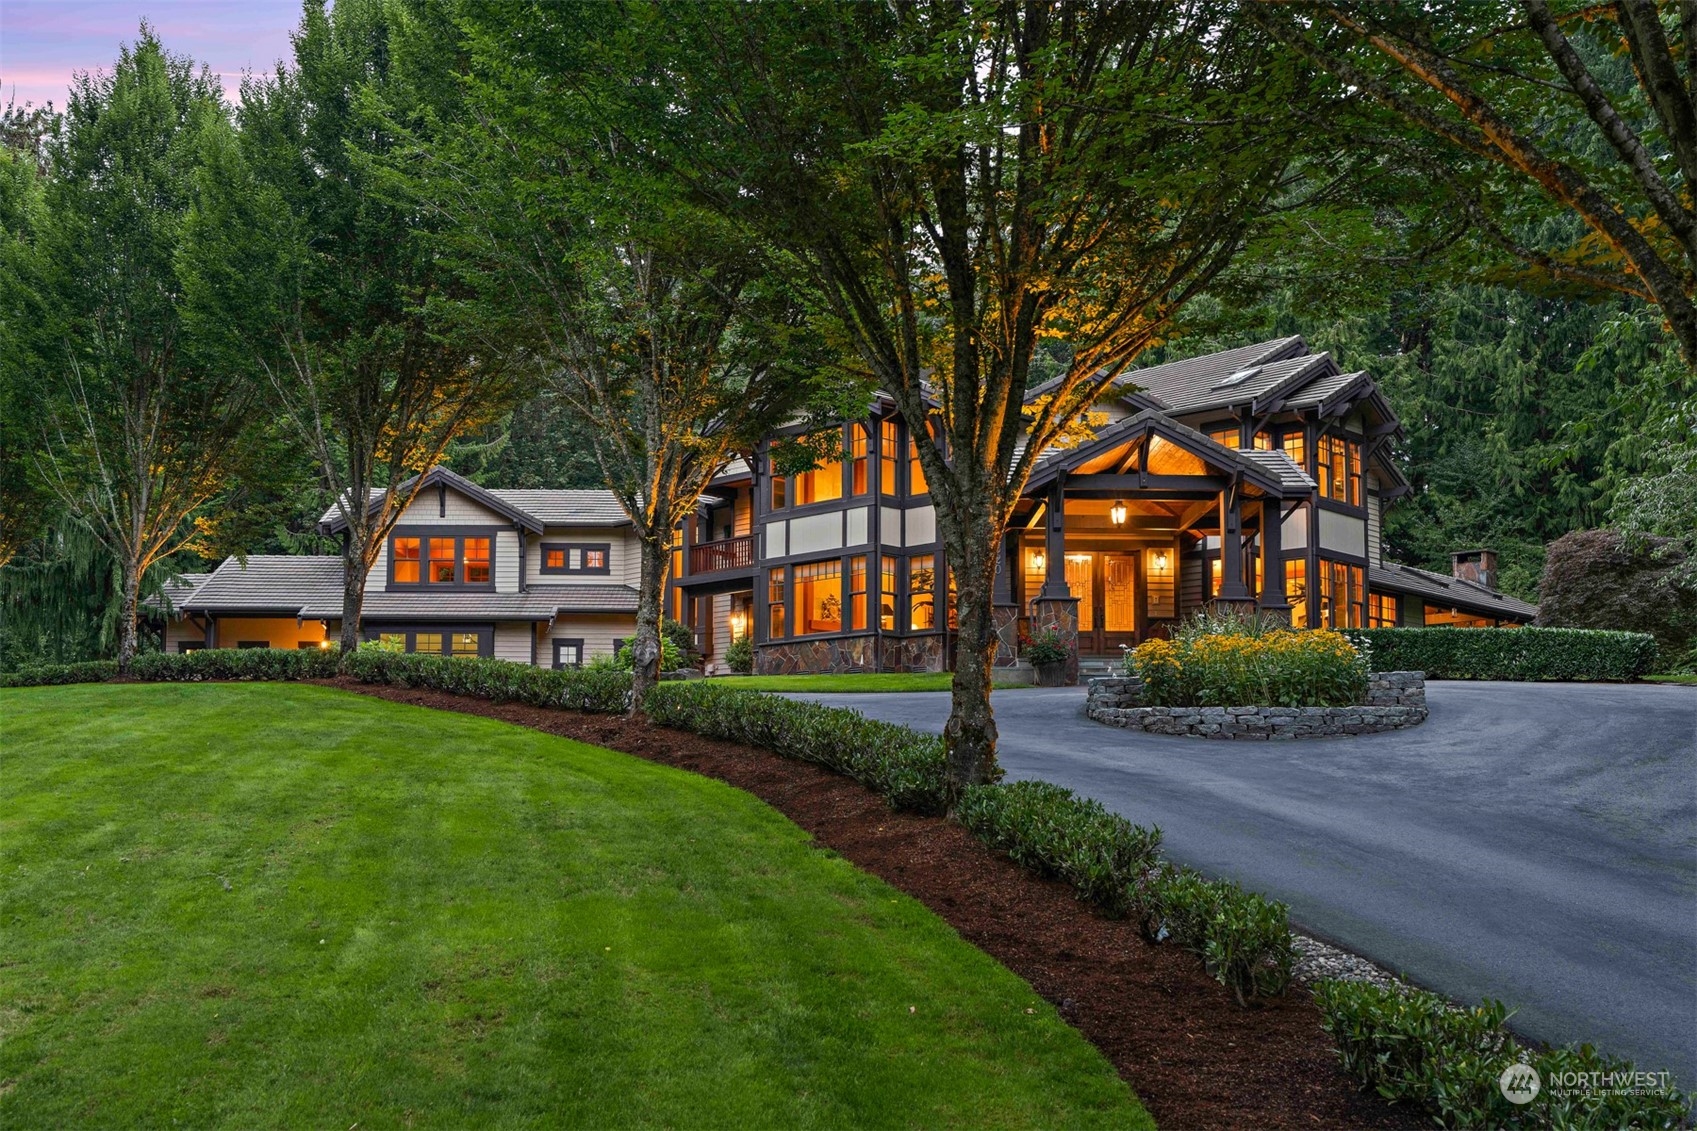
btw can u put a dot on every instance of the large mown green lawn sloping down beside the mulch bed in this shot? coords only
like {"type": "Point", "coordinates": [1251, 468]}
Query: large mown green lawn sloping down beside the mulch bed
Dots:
{"type": "Point", "coordinates": [289, 906]}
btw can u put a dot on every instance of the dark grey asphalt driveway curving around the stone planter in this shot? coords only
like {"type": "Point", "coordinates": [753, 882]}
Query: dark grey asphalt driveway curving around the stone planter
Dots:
{"type": "Point", "coordinates": [1532, 843]}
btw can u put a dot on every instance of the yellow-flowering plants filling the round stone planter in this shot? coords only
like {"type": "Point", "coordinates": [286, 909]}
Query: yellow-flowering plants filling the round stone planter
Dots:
{"type": "Point", "coordinates": [1226, 665]}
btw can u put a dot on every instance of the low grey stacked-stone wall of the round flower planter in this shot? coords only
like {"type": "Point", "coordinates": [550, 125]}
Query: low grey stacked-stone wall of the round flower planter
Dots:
{"type": "Point", "coordinates": [1396, 699]}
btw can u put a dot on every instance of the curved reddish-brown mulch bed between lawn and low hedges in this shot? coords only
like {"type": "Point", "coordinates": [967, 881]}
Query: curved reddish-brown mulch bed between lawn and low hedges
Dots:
{"type": "Point", "coordinates": [1190, 1054]}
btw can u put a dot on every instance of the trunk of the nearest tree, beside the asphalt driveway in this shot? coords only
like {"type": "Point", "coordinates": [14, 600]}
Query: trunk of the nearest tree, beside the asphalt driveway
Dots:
{"type": "Point", "coordinates": [970, 736]}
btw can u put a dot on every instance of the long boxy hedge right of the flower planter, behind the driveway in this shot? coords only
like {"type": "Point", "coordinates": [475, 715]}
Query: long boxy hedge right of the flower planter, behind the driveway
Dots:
{"type": "Point", "coordinates": [1509, 653]}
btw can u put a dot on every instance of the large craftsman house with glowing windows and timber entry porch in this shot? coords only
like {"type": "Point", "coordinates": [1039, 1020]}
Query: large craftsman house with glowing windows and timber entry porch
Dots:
{"type": "Point", "coordinates": [1255, 476]}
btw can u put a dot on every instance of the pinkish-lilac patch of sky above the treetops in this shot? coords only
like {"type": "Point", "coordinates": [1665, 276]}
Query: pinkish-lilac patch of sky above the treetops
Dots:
{"type": "Point", "coordinates": [45, 42]}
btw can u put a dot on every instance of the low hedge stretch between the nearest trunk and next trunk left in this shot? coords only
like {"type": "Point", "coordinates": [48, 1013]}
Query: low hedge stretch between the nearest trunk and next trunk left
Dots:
{"type": "Point", "coordinates": [904, 765]}
